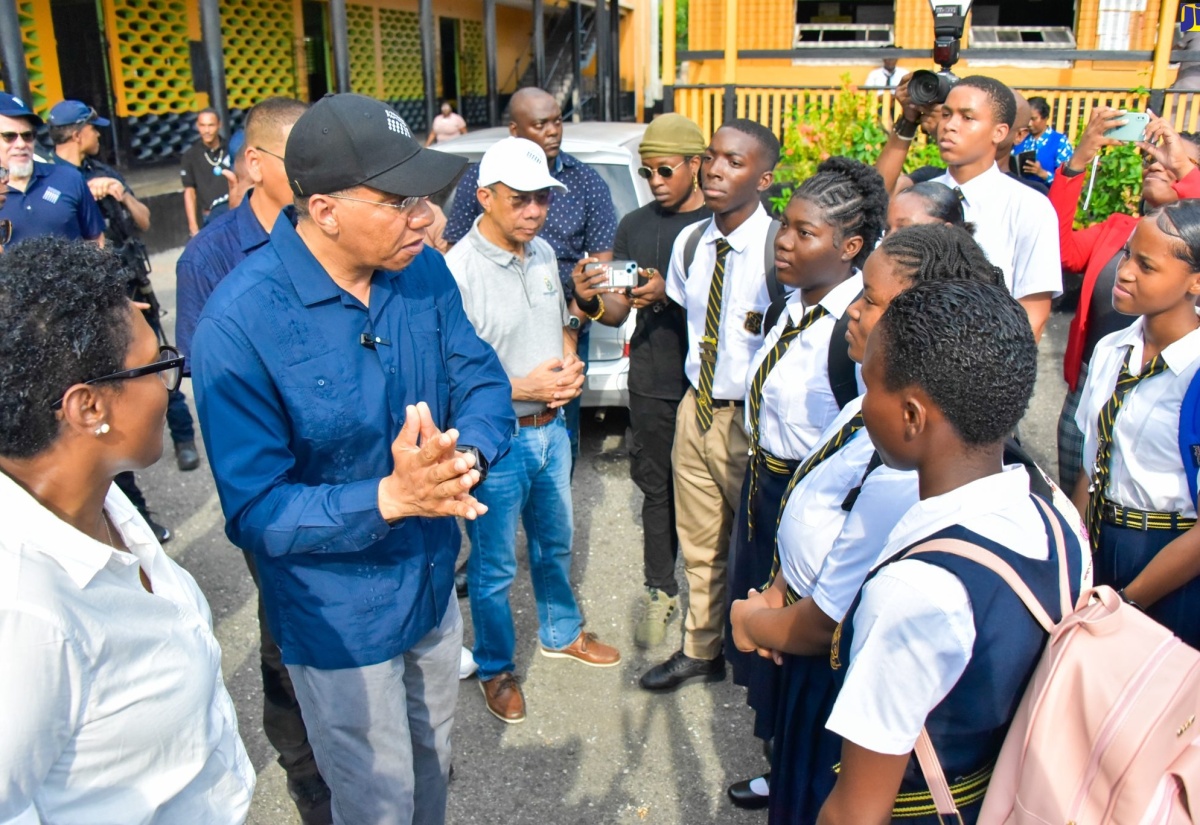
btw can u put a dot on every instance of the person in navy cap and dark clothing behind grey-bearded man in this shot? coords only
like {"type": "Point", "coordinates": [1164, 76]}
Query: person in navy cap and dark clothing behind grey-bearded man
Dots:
{"type": "Point", "coordinates": [76, 135]}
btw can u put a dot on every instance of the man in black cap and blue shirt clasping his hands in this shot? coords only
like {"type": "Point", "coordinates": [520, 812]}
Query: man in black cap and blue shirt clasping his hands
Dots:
{"type": "Point", "coordinates": [309, 360]}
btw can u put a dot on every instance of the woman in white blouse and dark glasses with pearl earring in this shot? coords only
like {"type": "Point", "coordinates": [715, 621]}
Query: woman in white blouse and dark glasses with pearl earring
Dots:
{"type": "Point", "coordinates": [112, 709]}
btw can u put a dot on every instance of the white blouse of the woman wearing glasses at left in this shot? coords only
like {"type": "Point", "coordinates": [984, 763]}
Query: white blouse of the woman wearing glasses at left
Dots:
{"type": "Point", "coordinates": [112, 706]}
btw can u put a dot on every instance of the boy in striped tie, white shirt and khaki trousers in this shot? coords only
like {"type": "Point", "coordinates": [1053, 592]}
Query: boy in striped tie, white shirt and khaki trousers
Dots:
{"type": "Point", "coordinates": [724, 294]}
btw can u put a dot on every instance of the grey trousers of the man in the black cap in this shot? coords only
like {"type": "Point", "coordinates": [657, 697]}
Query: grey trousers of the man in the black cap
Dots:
{"type": "Point", "coordinates": [382, 733]}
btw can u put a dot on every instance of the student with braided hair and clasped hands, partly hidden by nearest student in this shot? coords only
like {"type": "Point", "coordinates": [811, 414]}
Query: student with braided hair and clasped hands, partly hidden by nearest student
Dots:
{"type": "Point", "coordinates": [837, 516]}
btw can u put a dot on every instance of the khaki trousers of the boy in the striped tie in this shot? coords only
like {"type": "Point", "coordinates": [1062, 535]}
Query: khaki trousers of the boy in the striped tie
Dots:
{"type": "Point", "coordinates": [709, 471]}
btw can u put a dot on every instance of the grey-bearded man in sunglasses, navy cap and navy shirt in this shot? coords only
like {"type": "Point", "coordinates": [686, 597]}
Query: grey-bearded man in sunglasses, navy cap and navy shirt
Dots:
{"type": "Point", "coordinates": [44, 200]}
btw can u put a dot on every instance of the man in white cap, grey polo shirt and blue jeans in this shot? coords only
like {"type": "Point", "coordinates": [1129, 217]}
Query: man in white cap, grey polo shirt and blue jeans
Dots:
{"type": "Point", "coordinates": [514, 298]}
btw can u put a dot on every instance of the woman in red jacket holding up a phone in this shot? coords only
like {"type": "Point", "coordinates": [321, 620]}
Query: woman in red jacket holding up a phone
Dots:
{"type": "Point", "coordinates": [1169, 174]}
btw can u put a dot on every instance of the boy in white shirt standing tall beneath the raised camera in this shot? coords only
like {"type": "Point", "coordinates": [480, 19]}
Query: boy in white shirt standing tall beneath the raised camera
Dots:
{"type": "Point", "coordinates": [1016, 226]}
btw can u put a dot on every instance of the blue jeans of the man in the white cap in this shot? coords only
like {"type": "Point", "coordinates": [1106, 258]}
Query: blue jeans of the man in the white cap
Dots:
{"type": "Point", "coordinates": [532, 483]}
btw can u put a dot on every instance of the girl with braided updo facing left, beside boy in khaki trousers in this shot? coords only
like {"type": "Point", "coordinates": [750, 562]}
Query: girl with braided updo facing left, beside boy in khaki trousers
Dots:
{"type": "Point", "coordinates": [832, 224]}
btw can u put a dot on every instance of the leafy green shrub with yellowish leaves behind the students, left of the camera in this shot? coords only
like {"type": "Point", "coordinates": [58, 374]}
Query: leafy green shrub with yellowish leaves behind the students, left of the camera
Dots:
{"type": "Point", "coordinates": [849, 128]}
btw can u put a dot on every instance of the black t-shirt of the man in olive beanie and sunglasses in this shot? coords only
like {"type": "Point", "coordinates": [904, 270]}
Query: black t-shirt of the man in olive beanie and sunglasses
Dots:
{"type": "Point", "coordinates": [659, 346]}
